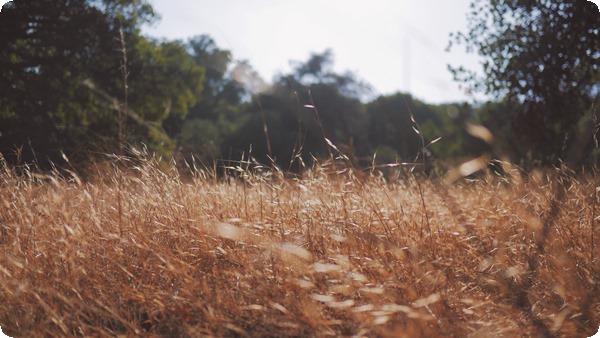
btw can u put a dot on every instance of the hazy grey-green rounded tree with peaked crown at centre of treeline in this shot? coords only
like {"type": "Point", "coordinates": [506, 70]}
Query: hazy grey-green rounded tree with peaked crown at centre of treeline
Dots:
{"type": "Point", "coordinates": [299, 111]}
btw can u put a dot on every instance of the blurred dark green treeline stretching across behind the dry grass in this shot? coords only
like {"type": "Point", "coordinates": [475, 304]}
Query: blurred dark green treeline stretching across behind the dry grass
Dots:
{"type": "Point", "coordinates": [78, 78]}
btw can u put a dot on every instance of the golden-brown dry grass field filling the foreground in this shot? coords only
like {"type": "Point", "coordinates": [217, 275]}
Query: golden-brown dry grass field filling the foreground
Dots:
{"type": "Point", "coordinates": [138, 250]}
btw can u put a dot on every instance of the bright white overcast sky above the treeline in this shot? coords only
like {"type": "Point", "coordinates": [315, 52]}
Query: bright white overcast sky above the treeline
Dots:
{"type": "Point", "coordinates": [395, 45]}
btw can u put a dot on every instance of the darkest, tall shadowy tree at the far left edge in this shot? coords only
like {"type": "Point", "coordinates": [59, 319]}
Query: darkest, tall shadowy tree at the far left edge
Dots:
{"type": "Point", "coordinates": [46, 47]}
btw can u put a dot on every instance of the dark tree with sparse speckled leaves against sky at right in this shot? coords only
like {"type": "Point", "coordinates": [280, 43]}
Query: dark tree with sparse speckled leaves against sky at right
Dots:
{"type": "Point", "coordinates": [542, 57]}
